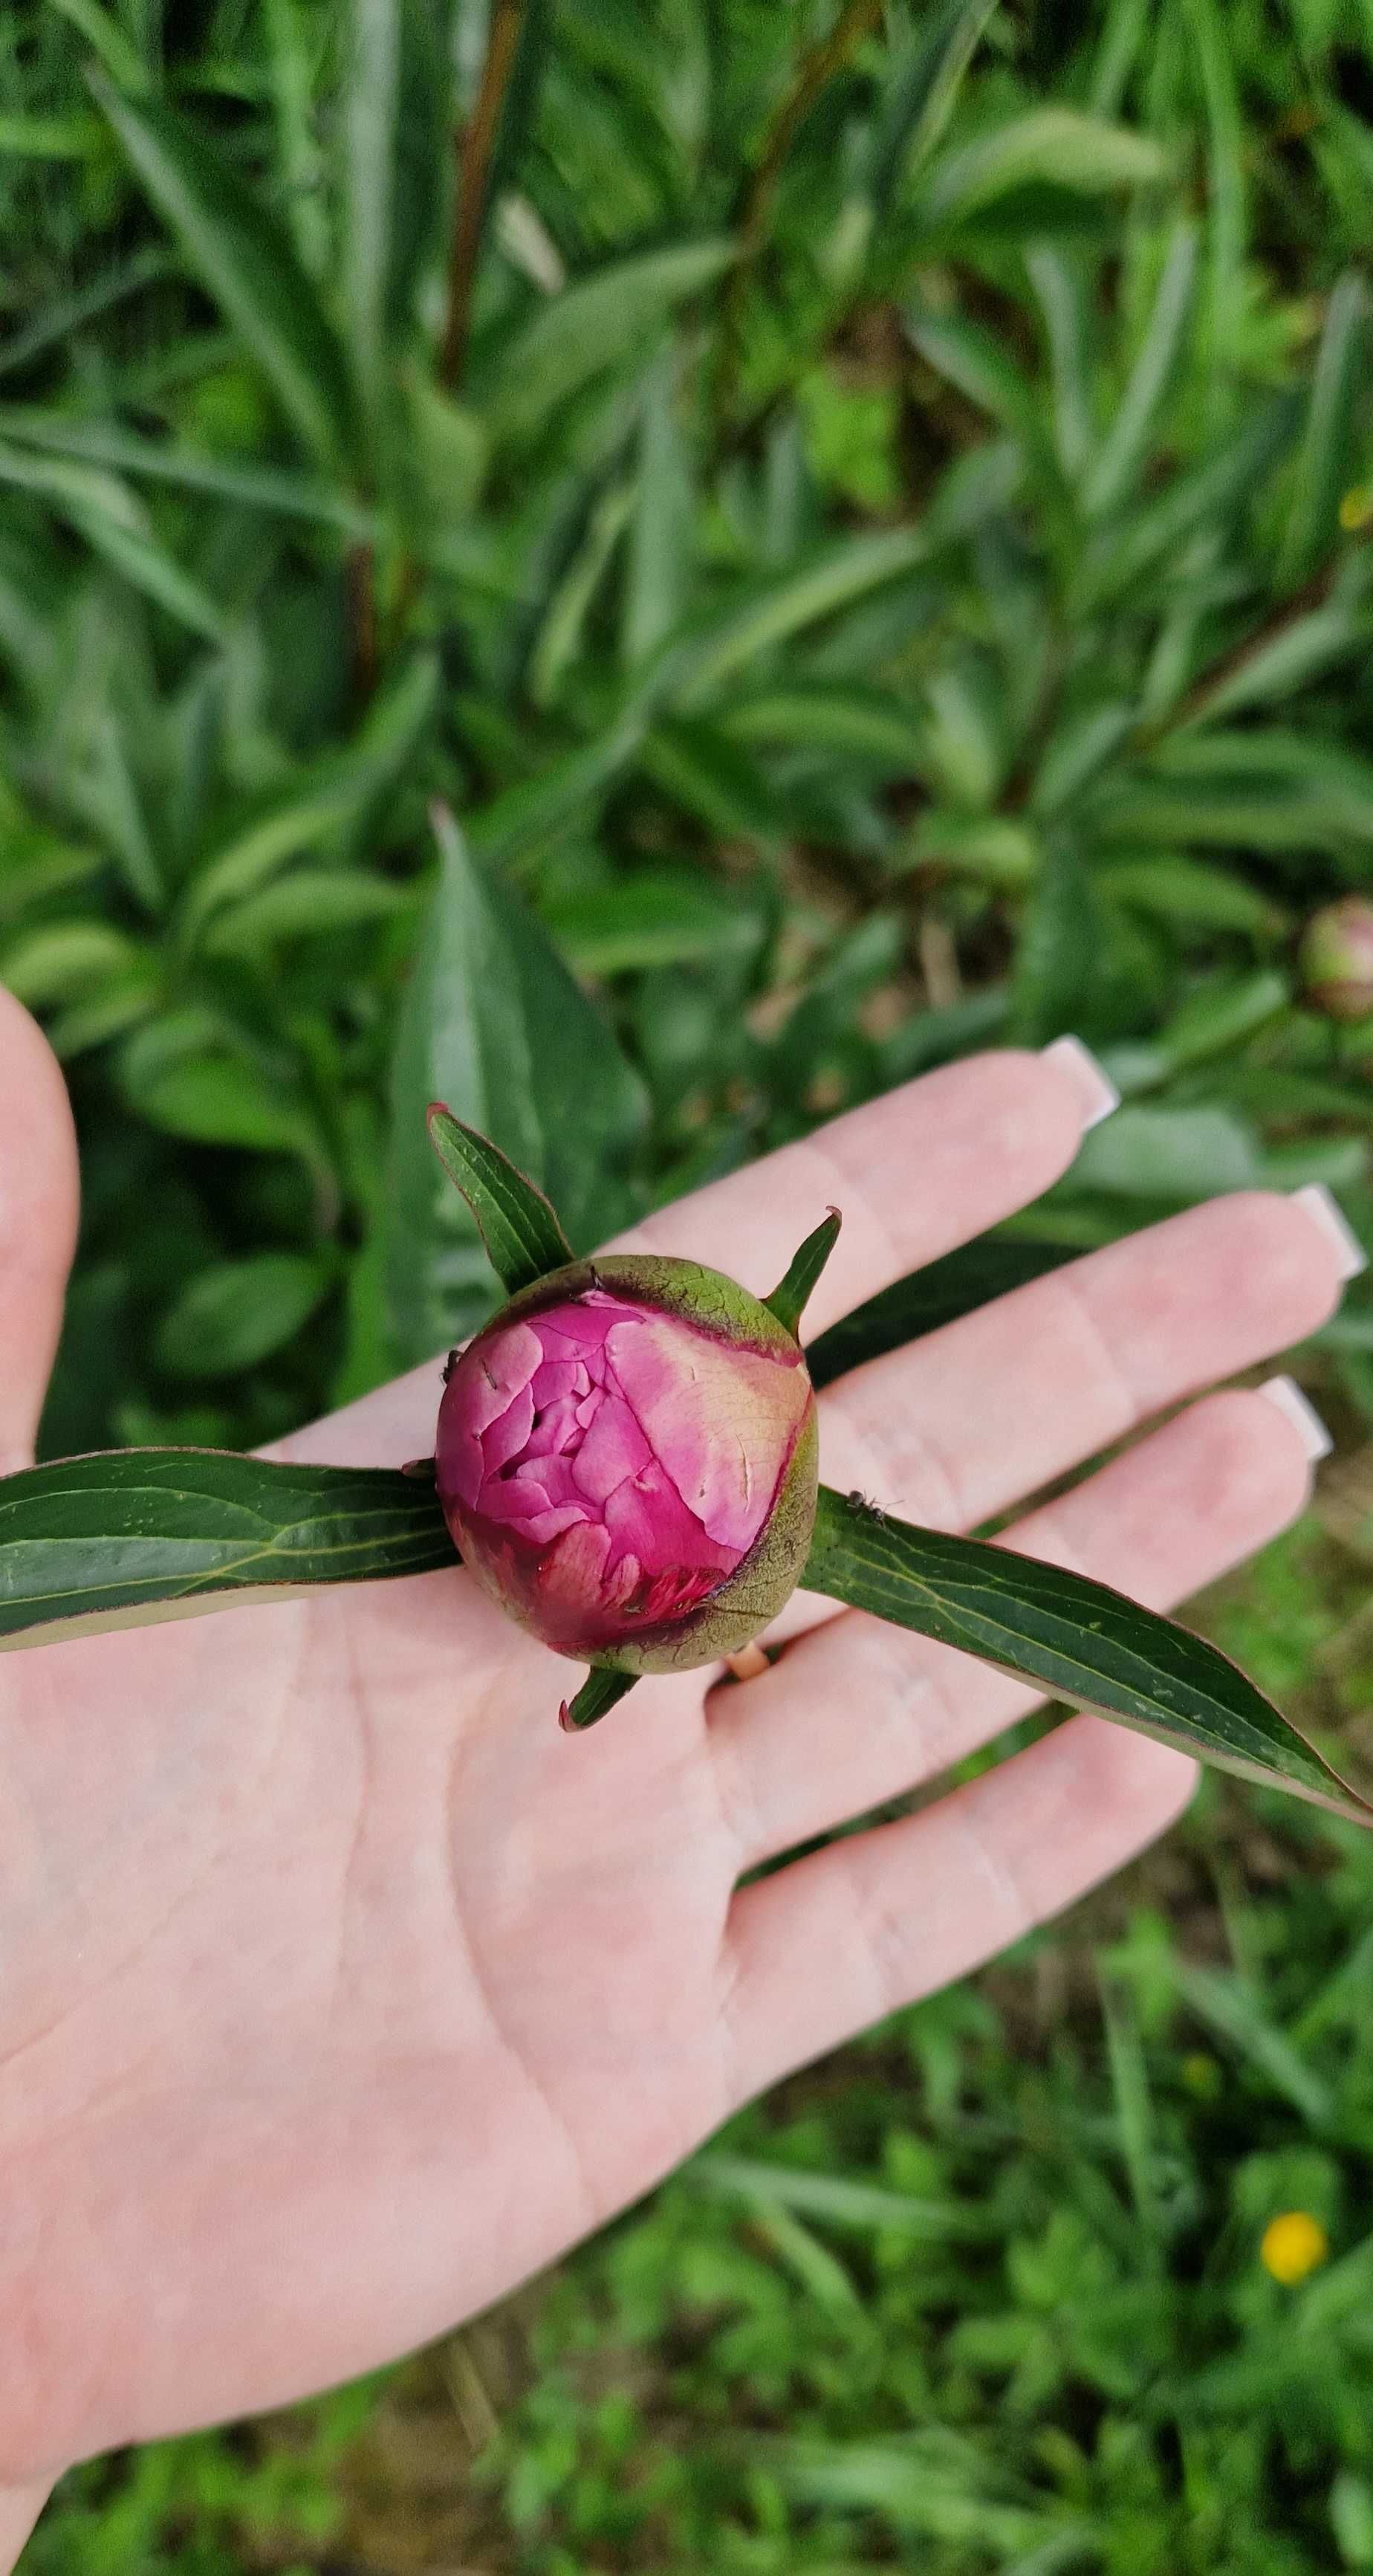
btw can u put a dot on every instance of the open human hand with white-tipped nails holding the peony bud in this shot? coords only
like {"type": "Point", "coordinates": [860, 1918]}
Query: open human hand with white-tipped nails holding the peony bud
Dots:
{"type": "Point", "coordinates": [341, 1990]}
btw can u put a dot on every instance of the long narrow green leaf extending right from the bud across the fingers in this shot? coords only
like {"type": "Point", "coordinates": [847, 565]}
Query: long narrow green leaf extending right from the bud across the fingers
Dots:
{"type": "Point", "coordinates": [1073, 1637]}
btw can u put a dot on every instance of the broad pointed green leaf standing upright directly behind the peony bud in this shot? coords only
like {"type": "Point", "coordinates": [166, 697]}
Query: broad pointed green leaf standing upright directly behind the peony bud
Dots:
{"type": "Point", "coordinates": [496, 1027]}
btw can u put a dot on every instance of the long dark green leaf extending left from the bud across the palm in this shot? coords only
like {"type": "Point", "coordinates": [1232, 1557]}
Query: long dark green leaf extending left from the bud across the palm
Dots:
{"type": "Point", "coordinates": [99, 1542]}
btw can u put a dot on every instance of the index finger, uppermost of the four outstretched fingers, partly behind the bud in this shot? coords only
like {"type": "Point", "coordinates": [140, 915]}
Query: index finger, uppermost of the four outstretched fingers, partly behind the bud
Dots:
{"type": "Point", "coordinates": [913, 1173]}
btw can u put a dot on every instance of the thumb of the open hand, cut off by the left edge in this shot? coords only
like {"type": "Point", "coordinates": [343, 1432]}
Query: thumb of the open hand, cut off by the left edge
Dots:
{"type": "Point", "coordinates": [37, 1225]}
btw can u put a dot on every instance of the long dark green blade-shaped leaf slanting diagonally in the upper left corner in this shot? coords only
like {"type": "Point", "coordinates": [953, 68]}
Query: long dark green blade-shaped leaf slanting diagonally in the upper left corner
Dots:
{"type": "Point", "coordinates": [246, 264]}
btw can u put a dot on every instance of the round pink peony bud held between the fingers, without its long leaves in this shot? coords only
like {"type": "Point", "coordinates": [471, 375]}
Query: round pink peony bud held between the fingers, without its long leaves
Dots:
{"type": "Point", "coordinates": [627, 1459]}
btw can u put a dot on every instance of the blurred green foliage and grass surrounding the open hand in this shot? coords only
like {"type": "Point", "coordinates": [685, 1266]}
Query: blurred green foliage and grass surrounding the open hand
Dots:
{"type": "Point", "coordinates": [854, 524]}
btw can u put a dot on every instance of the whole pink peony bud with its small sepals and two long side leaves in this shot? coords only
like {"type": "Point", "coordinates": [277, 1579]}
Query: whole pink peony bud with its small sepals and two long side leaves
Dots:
{"type": "Point", "coordinates": [627, 1462]}
